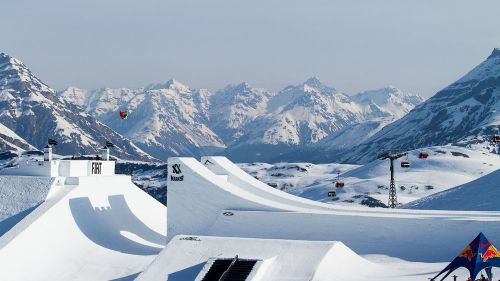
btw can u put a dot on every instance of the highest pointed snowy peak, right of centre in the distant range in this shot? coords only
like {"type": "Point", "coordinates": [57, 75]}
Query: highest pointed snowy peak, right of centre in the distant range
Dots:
{"type": "Point", "coordinates": [296, 117]}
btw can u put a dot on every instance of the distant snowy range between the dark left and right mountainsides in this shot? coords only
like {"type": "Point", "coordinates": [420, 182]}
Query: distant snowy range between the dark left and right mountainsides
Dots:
{"type": "Point", "coordinates": [254, 124]}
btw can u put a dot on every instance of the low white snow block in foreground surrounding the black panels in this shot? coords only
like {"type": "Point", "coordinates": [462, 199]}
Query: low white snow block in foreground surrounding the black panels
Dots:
{"type": "Point", "coordinates": [191, 258]}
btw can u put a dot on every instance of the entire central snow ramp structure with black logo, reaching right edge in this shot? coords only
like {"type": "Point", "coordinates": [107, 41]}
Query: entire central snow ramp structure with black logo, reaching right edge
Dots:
{"type": "Point", "coordinates": [228, 203]}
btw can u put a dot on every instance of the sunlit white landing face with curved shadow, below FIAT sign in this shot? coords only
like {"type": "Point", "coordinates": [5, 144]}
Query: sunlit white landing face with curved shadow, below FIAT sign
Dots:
{"type": "Point", "coordinates": [105, 228]}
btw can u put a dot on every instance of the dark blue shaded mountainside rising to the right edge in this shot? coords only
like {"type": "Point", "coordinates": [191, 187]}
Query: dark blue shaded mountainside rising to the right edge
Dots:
{"type": "Point", "coordinates": [465, 113]}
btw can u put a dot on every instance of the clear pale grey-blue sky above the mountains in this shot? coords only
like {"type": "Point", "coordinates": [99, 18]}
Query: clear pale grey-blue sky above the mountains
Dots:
{"type": "Point", "coordinates": [418, 46]}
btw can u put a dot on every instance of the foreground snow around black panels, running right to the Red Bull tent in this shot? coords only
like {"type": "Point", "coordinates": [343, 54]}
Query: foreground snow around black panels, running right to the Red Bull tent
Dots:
{"type": "Point", "coordinates": [189, 257]}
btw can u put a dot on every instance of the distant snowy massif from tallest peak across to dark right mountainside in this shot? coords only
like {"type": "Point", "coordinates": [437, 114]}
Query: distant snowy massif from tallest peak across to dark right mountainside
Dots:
{"type": "Point", "coordinates": [312, 118]}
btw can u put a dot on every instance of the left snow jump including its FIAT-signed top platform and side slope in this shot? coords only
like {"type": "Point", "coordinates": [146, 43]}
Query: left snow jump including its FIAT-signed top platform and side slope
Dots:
{"type": "Point", "coordinates": [90, 225]}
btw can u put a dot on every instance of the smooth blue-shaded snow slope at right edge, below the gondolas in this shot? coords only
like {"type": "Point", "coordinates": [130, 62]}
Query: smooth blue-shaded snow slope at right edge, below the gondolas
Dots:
{"type": "Point", "coordinates": [479, 195]}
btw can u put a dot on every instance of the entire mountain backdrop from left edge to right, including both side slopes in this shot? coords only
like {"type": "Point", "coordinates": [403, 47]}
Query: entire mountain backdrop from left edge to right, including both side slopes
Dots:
{"type": "Point", "coordinates": [310, 121]}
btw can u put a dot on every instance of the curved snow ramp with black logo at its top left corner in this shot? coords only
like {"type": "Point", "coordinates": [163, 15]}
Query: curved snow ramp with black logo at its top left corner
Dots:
{"type": "Point", "coordinates": [189, 180]}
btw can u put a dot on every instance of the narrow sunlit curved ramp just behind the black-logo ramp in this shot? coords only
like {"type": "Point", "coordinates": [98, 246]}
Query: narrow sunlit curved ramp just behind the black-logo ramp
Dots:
{"type": "Point", "coordinates": [222, 166]}
